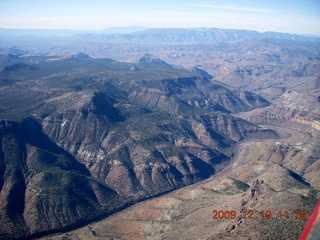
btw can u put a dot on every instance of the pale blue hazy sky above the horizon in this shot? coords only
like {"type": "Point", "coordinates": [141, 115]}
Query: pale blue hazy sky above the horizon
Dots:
{"type": "Point", "coordinates": [292, 16]}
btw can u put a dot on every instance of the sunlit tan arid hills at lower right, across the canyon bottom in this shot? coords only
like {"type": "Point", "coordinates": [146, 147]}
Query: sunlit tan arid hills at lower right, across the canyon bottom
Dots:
{"type": "Point", "coordinates": [187, 213]}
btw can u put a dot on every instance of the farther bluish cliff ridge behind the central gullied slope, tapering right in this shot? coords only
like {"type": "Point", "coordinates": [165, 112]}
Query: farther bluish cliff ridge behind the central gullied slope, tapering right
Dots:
{"type": "Point", "coordinates": [172, 95]}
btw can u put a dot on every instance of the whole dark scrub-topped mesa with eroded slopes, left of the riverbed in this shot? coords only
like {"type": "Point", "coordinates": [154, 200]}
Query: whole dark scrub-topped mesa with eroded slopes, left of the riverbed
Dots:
{"type": "Point", "coordinates": [98, 136]}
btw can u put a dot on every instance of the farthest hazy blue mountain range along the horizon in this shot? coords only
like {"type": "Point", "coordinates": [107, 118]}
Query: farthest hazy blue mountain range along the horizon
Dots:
{"type": "Point", "coordinates": [154, 35]}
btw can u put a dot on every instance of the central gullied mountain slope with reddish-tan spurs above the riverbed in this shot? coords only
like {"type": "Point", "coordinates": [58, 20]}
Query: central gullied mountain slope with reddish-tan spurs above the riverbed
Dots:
{"type": "Point", "coordinates": [153, 156]}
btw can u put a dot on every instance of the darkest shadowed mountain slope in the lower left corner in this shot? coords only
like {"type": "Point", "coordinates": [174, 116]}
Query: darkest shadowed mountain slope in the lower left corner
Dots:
{"type": "Point", "coordinates": [42, 186]}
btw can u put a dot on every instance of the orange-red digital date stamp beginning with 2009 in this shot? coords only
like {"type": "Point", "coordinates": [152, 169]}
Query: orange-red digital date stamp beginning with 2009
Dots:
{"type": "Point", "coordinates": [264, 214]}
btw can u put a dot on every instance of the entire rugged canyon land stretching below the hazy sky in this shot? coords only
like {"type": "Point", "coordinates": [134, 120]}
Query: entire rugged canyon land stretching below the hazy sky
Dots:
{"type": "Point", "coordinates": [84, 137]}
